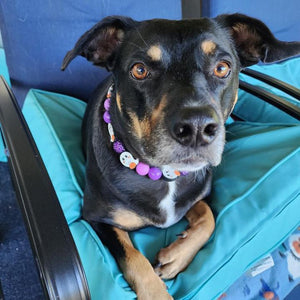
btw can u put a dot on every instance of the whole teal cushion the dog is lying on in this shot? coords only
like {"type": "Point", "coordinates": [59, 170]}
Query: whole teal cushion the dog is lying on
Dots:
{"type": "Point", "coordinates": [256, 199]}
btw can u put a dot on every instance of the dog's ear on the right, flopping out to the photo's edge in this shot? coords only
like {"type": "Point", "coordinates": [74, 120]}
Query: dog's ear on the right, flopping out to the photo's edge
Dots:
{"type": "Point", "coordinates": [254, 40]}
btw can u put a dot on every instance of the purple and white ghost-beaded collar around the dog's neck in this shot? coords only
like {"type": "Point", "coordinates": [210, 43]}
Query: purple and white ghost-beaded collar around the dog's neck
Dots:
{"type": "Point", "coordinates": [127, 159]}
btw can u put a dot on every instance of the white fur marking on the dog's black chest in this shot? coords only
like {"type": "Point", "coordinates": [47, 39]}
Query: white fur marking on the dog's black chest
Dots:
{"type": "Point", "coordinates": [167, 206]}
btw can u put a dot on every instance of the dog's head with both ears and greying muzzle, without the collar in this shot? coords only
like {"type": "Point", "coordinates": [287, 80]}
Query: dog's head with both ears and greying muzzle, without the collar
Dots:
{"type": "Point", "coordinates": [176, 82]}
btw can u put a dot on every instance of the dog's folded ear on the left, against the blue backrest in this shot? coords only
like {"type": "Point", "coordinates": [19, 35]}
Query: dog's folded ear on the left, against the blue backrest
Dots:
{"type": "Point", "coordinates": [100, 43]}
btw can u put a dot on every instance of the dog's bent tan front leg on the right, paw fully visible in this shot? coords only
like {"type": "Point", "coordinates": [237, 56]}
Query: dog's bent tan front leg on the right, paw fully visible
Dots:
{"type": "Point", "coordinates": [177, 256]}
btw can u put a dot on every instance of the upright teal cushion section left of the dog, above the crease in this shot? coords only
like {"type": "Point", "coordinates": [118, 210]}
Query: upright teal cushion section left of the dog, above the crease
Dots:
{"type": "Point", "coordinates": [54, 121]}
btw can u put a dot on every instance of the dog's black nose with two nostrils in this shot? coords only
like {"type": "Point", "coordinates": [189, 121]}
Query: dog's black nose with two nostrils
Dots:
{"type": "Point", "coordinates": [195, 126]}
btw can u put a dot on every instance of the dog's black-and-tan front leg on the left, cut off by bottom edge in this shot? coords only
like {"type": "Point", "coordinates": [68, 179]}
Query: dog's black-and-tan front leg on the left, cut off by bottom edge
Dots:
{"type": "Point", "coordinates": [136, 268]}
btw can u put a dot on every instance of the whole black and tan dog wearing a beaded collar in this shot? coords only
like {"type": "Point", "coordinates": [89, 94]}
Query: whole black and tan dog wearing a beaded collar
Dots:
{"type": "Point", "coordinates": [174, 83]}
